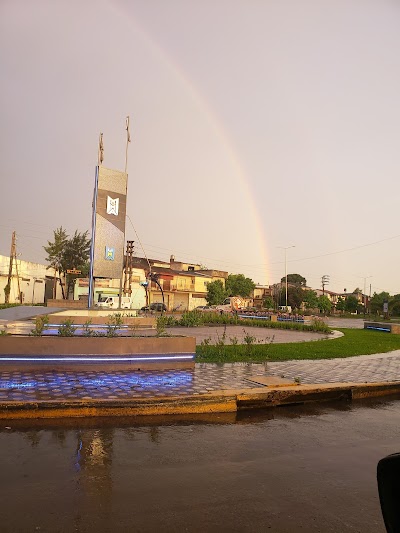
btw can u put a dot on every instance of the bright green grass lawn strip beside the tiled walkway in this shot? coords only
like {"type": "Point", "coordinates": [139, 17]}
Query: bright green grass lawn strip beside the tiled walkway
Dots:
{"type": "Point", "coordinates": [354, 342]}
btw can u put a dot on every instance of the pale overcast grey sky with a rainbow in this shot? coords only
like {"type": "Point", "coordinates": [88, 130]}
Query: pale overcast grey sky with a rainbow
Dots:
{"type": "Point", "coordinates": [255, 125]}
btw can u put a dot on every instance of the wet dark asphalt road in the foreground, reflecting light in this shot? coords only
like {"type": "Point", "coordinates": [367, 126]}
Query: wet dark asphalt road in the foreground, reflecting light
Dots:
{"type": "Point", "coordinates": [309, 468]}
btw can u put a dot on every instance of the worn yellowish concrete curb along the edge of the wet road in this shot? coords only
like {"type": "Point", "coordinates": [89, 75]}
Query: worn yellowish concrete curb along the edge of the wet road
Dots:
{"type": "Point", "coordinates": [218, 402]}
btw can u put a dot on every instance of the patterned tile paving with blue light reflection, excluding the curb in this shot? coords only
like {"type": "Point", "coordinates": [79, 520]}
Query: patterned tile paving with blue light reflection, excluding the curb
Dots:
{"type": "Point", "coordinates": [25, 386]}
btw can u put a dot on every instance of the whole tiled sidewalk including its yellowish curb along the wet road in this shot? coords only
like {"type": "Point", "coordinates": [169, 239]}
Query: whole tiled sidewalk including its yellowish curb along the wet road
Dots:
{"type": "Point", "coordinates": [207, 388]}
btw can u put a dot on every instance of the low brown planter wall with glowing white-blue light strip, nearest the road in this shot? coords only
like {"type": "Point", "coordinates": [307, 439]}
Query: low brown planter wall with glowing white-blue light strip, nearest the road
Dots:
{"type": "Point", "coordinates": [96, 353]}
